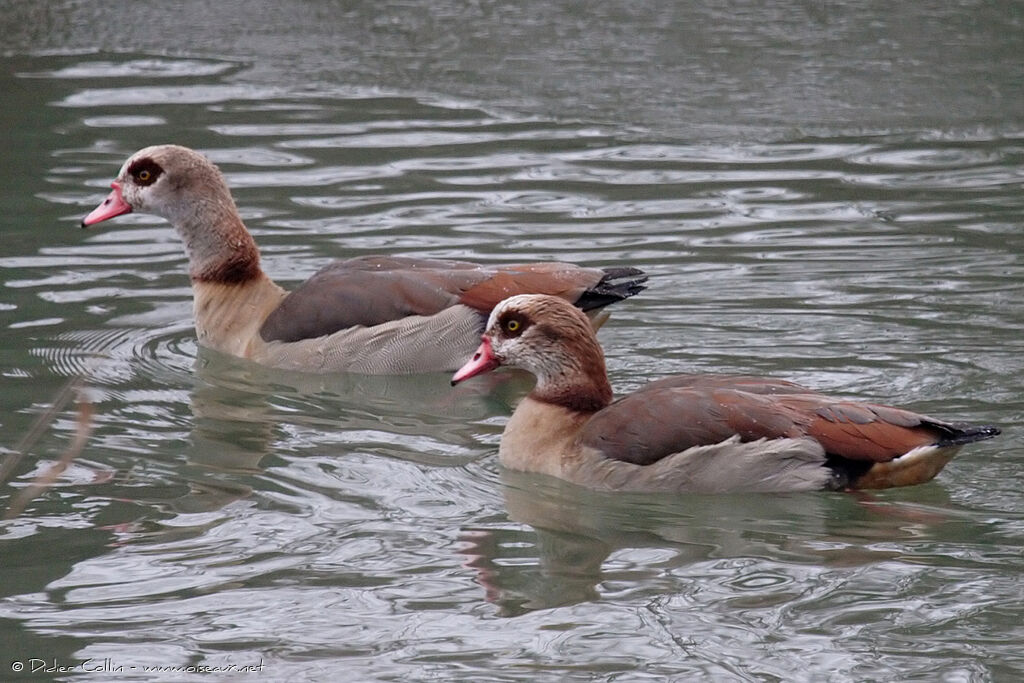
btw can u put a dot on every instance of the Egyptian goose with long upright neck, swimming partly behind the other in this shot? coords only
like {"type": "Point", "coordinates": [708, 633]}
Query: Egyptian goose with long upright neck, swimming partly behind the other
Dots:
{"type": "Point", "coordinates": [375, 315]}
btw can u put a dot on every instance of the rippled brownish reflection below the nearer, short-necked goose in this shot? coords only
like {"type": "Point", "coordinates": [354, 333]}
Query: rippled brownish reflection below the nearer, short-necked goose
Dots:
{"type": "Point", "coordinates": [570, 545]}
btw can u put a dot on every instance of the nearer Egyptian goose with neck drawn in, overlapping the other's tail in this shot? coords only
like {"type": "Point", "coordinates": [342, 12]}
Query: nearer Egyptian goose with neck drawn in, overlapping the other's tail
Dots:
{"type": "Point", "coordinates": [701, 434]}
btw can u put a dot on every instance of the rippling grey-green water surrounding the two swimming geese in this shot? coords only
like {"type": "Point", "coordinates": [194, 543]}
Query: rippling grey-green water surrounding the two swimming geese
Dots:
{"type": "Point", "coordinates": [828, 193]}
